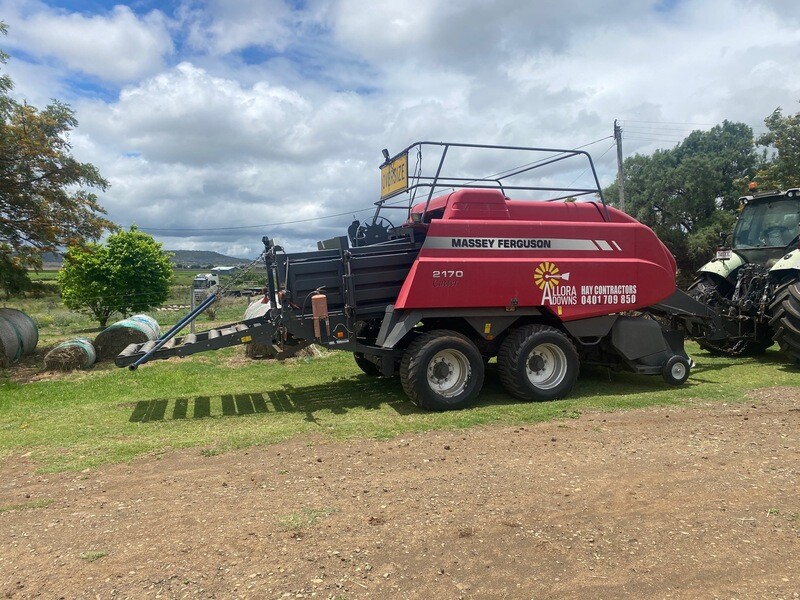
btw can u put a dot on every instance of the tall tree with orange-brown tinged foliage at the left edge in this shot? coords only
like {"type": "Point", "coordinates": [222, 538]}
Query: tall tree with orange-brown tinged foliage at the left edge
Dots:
{"type": "Point", "coordinates": [44, 201]}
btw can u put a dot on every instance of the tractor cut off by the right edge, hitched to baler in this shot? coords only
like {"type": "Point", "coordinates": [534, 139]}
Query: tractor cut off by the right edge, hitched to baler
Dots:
{"type": "Point", "coordinates": [754, 284]}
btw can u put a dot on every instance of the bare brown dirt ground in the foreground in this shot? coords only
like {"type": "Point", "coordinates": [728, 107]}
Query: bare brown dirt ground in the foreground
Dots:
{"type": "Point", "coordinates": [697, 502]}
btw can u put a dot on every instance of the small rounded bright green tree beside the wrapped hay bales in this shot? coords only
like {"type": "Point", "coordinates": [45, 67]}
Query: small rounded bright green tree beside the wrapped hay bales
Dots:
{"type": "Point", "coordinates": [129, 273]}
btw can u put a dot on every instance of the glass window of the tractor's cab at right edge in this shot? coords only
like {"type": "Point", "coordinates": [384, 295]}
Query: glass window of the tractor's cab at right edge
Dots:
{"type": "Point", "coordinates": [774, 223]}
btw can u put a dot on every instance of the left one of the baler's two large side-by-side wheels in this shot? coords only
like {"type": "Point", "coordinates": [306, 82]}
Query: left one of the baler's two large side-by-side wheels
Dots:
{"type": "Point", "coordinates": [440, 355]}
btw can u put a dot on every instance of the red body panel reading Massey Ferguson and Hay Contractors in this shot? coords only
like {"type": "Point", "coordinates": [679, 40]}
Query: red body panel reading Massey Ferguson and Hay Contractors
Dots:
{"type": "Point", "coordinates": [561, 256]}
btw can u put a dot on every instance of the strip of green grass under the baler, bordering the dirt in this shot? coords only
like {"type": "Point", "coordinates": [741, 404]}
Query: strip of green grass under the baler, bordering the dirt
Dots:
{"type": "Point", "coordinates": [221, 400]}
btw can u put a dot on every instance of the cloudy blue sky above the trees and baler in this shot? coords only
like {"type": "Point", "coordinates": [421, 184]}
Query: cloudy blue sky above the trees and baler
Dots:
{"type": "Point", "coordinates": [206, 115]}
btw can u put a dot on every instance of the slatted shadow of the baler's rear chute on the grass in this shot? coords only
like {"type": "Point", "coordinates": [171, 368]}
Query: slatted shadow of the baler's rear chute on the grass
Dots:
{"type": "Point", "coordinates": [337, 396]}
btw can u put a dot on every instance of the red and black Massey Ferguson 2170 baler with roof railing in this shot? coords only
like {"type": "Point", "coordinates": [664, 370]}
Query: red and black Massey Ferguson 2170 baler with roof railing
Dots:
{"type": "Point", "coordinates": [469, 275]}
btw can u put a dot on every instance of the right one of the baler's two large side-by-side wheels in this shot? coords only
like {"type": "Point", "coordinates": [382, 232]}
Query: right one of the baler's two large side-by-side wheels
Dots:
{"type": "Point", "coordinates": [529, 353]}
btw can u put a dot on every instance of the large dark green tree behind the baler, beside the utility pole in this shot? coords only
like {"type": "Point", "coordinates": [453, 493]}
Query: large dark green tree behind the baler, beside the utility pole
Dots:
{"type": "Point", "coordinates": [688, 194]}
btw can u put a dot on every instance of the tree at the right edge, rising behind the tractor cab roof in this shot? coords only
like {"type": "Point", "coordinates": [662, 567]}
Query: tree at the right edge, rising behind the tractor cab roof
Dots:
{"type": "Point", "coordinates": [780, 170]}
